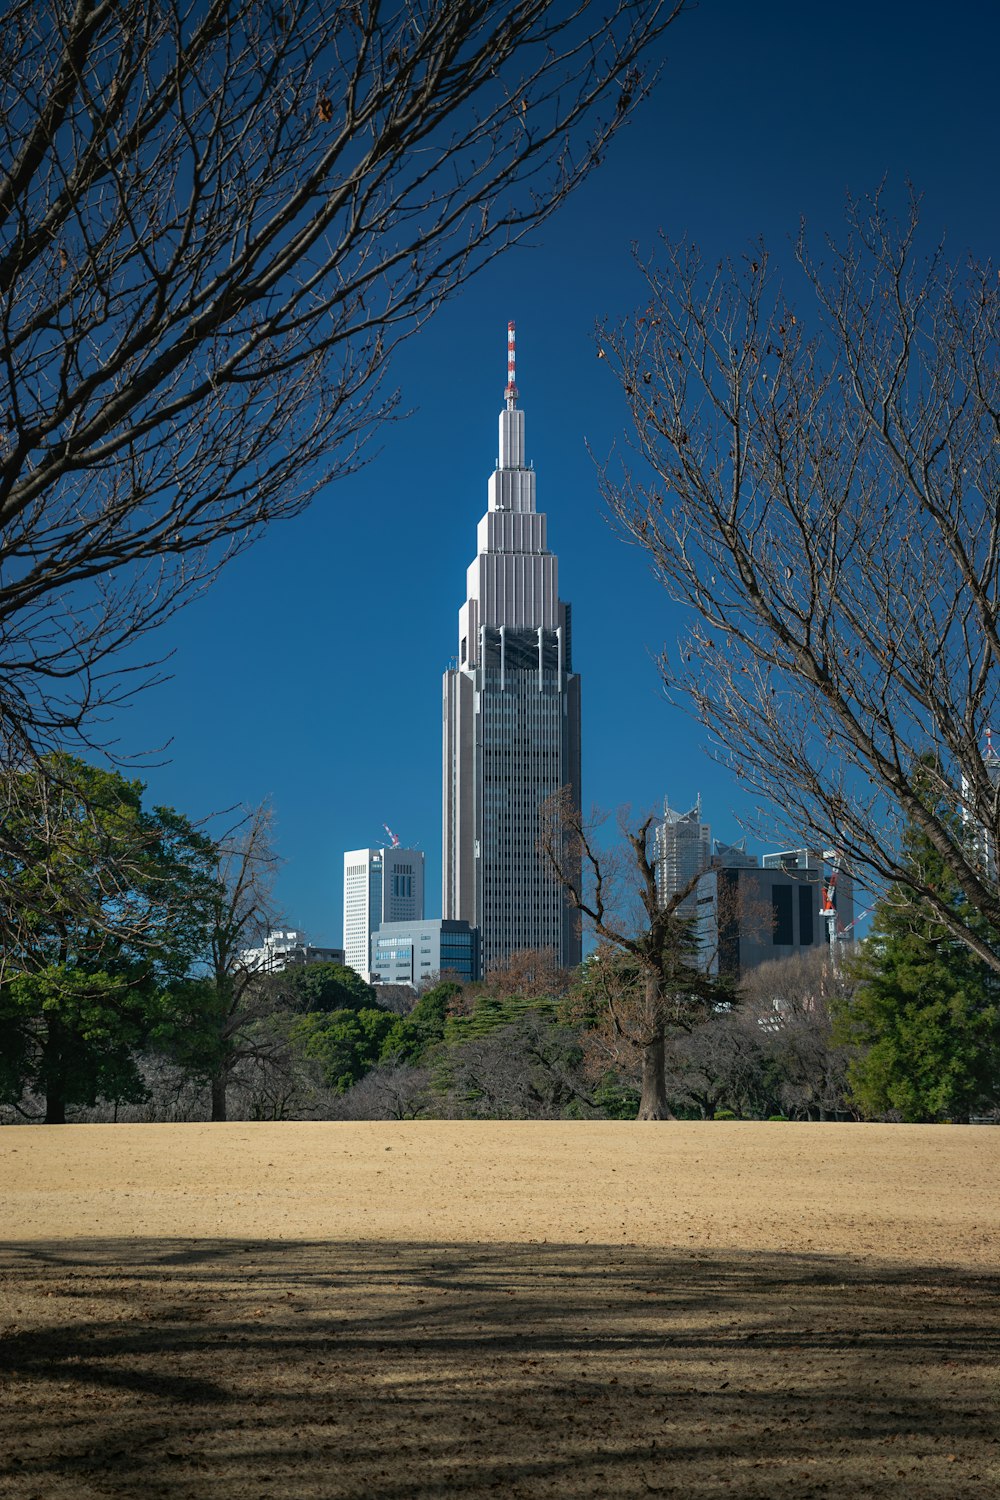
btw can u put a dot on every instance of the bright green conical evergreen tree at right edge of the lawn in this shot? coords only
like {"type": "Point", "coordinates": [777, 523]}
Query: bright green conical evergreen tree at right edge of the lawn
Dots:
{"type": "Point", "coordinates": [926, 1016]}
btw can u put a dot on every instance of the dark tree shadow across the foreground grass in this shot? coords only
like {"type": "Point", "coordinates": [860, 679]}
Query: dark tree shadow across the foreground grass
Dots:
{"type": "Point", "coordinates": [413, 1370]}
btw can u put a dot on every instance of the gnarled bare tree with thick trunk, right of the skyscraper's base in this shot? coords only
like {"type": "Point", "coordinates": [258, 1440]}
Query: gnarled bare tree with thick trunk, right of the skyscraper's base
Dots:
{"type": "Point", "coordinates": [615, 893]}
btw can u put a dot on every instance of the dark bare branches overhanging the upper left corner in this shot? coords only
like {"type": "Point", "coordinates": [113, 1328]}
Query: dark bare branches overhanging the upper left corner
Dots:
{"type": "Point", "coordinates": [217, 221]}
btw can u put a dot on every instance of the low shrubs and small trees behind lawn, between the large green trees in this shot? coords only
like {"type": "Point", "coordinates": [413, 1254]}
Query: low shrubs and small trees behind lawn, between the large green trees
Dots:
{"type": "Point", "coordinates": [319, 1043]}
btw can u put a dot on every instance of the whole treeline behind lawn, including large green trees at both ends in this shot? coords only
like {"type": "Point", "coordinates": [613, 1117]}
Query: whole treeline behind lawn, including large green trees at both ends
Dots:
{"type": "Point", "coordinates": [125, 995]}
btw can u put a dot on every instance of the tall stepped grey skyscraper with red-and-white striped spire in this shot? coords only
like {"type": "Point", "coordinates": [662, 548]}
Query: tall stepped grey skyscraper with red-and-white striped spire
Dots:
{"type": "Point", "coordinates": [512, 719]}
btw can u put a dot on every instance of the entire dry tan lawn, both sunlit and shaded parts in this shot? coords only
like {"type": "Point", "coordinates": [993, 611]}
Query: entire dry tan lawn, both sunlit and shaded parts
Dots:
{"type": "Point", "coordinates": [588, 1310]}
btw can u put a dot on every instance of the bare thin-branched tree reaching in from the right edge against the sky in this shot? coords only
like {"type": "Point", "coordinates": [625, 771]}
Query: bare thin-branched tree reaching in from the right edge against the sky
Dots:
{"type": "Point", "coordinates": [824, 496]}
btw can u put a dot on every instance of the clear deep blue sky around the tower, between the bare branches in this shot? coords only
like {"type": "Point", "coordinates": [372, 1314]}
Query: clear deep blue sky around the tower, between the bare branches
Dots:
{"type": "Point", "coordinates": [311, 674]}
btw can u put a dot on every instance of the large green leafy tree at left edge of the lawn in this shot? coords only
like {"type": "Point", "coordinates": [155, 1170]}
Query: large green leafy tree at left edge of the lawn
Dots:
{"type": "Point", "coordinates": [112, 902]}
